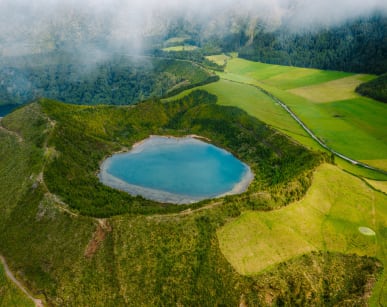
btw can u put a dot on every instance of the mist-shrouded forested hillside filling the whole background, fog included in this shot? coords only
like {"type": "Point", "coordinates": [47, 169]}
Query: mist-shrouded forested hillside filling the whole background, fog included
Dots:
{"type": "Point", "coordinates": [53, 48]}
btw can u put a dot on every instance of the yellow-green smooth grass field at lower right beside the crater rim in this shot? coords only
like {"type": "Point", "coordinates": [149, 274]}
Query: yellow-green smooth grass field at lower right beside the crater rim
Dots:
{"type": "Point", "coordinates": [327, 219]}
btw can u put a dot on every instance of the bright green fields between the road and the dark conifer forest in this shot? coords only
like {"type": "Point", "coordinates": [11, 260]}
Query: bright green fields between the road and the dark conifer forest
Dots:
{"type": "Point", "coordinates": [350, 124]}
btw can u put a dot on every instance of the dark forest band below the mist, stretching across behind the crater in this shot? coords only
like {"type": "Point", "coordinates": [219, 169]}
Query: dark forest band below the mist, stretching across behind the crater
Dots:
{"type": "Point", "coordinates": [356, 46]}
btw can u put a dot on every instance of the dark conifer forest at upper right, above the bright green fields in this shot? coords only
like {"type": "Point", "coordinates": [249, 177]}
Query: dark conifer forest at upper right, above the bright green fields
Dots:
{"type": "Point", "coordinates": [357, 46]}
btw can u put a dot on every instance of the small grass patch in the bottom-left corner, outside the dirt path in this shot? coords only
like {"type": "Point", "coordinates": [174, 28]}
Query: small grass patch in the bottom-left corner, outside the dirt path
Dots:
{"type": "Point", "coordinates": [10, 295]}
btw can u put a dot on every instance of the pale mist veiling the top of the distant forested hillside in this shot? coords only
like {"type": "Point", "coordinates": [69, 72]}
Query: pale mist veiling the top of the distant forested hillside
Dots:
{"type": "Point", "coordinates": [38, 26]}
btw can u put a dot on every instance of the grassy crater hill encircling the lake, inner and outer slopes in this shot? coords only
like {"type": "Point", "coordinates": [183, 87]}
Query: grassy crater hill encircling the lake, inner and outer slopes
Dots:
{"type": "Point", "coordinates": [134, 259]}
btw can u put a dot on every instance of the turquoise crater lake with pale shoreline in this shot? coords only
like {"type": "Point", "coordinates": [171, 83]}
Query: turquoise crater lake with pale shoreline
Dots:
{"type": "Point", "coordinates": [178, 170]}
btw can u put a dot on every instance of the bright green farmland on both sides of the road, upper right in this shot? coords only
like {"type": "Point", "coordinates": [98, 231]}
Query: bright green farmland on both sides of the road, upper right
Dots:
{"type": "Point", "coordinates": [353, 125]}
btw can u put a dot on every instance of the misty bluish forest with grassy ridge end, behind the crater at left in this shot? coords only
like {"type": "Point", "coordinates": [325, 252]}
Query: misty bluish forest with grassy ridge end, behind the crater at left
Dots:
{"type": "Point", "coordinates": [122, 80]}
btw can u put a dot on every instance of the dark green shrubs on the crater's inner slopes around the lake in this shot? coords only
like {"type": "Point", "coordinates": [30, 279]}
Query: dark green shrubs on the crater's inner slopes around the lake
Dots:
{"type": "Point", "coordinates": [71, 174]}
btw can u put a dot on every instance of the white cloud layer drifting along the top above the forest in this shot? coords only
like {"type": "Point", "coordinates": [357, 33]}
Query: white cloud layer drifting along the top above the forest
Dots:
{"type": "Point", "coordinates": [26, 22]}
